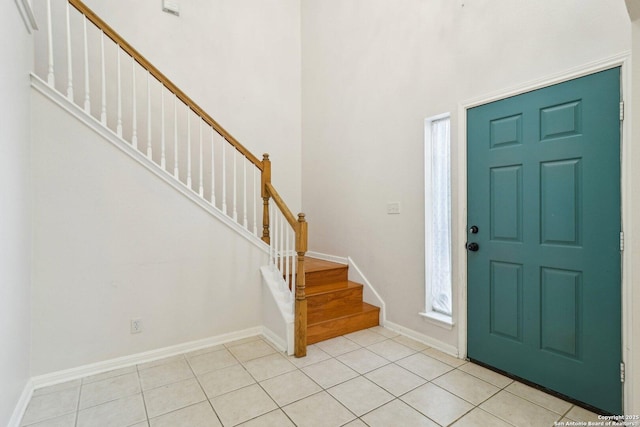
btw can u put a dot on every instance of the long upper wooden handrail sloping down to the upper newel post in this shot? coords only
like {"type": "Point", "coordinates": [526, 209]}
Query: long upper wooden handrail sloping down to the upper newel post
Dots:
{"type": "Point", "coordinates": [91, 16]}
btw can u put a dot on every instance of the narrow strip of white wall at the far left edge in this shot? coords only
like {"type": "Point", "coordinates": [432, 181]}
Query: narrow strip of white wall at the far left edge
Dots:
{"type": "Point", "coordinates": [15, 209]}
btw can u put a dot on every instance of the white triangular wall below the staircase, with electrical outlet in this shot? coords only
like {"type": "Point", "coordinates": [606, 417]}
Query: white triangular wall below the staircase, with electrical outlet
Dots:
{"type": "Point", "coordinates": [113, 242]}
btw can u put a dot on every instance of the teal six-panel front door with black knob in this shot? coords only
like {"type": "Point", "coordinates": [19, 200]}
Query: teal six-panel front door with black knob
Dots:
{"type": "Point", "coordinates": [544, 272]}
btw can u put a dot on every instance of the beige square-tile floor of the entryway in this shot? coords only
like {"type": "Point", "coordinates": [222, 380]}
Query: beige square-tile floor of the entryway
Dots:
{"type": "Point", "coordinates": [369, 378]}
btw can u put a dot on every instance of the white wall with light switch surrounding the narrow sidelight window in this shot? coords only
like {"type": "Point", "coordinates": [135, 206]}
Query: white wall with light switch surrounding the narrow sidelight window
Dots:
{"type": "Point", "coordinates": [374, 70]}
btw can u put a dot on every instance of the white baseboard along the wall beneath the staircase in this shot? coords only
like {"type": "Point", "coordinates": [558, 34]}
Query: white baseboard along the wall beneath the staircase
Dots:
{"type": "Point", "coordinates": [148, 356]}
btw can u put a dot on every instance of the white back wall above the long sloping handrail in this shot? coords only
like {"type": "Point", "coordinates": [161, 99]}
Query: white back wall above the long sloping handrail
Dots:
{"type": "Point", "coordinates": [238, 59]}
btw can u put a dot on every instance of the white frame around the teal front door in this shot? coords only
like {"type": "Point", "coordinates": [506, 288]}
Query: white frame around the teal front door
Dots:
{"type": "Point", "coordinates": [459, 219]}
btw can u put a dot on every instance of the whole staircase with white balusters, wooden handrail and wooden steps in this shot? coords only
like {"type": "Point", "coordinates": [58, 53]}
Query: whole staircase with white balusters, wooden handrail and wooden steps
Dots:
{"type": "Point", "coordinates": [121, 95]}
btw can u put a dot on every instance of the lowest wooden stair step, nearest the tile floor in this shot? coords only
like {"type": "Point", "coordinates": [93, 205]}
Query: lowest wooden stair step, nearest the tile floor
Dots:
{"type": "Point", "coordinates": [368, 317]}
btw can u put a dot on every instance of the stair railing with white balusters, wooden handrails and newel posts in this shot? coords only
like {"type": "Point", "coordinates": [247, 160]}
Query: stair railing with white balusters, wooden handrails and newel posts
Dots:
{"type": "Point", "coordinates": [91, 65]}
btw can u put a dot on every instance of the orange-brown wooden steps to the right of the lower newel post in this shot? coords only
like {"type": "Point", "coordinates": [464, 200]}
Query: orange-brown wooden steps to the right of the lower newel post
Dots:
{"type": "Point", "coordinates": [334, 303]}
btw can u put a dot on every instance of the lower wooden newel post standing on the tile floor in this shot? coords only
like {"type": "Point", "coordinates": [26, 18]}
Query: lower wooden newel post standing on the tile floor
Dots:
{"type": "Point", "coordinates": [300, 345]}
